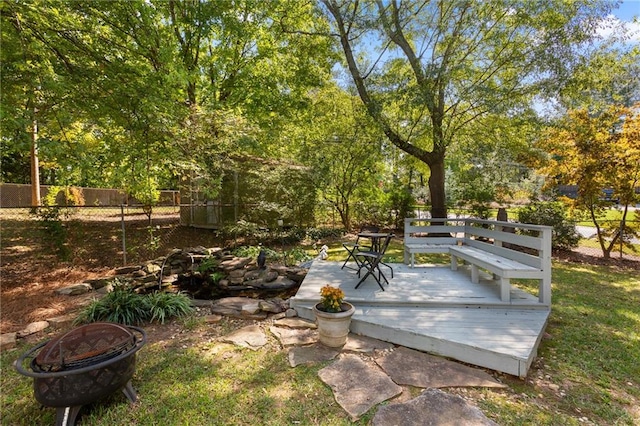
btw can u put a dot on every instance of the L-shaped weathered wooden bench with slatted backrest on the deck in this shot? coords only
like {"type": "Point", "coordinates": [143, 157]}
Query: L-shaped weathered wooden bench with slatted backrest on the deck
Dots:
{"type": "Point", "coordinates": [492, 246]}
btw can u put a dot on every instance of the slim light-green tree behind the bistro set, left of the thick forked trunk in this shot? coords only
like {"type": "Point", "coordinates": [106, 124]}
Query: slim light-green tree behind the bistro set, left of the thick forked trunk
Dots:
{"type": "Point", "coordinates": [344, 151]}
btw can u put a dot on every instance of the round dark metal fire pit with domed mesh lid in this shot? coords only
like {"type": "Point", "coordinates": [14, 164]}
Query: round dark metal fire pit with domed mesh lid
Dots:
{"type": "Point", "coordinates": [87, 363]}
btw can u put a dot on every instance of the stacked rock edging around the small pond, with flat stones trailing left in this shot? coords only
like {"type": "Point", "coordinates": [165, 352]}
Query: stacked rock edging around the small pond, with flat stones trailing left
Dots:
{"type": "Point", "coordinates": [240, 273]}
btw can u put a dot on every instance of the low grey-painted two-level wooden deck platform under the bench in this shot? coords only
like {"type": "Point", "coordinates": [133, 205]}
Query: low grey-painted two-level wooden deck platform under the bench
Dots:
{"type": "Point", "coordinates": [436, 310]}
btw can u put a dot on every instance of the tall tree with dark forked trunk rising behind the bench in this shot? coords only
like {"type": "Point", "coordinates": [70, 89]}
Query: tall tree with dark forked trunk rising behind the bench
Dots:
{"type": "Point", "coordinates": [425, 70]}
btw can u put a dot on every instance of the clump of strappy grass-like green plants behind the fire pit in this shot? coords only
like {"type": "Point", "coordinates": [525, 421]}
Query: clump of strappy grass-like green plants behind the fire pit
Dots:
{"type": "Point", "coordinates": [124, 306]}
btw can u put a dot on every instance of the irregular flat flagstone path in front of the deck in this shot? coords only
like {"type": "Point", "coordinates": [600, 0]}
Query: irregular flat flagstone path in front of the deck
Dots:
{"type": "Point", "coordinates": [366, 372]}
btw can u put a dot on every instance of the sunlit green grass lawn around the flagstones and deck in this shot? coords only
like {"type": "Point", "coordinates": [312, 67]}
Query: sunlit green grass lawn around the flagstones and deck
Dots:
{"type": "Point", "coordinates": [587, 370]}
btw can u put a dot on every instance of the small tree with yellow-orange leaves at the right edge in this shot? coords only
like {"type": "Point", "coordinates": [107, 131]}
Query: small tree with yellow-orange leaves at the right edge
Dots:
{"type": "Point", "coordinates": [597, 151]}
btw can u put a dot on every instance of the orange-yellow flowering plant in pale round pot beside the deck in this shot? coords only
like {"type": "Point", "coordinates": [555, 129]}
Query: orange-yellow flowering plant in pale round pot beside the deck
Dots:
{"type": "Point", "coordinates": [333, 316]}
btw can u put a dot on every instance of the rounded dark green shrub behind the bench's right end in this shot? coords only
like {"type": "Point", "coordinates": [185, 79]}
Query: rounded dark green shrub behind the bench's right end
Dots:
{"type": "Point", "coordinates": [552, 213]}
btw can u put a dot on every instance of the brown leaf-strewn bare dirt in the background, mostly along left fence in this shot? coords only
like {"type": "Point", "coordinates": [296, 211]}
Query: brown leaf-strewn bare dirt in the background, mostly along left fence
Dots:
{"type": "Point", "coordinates": [30, 271]}
